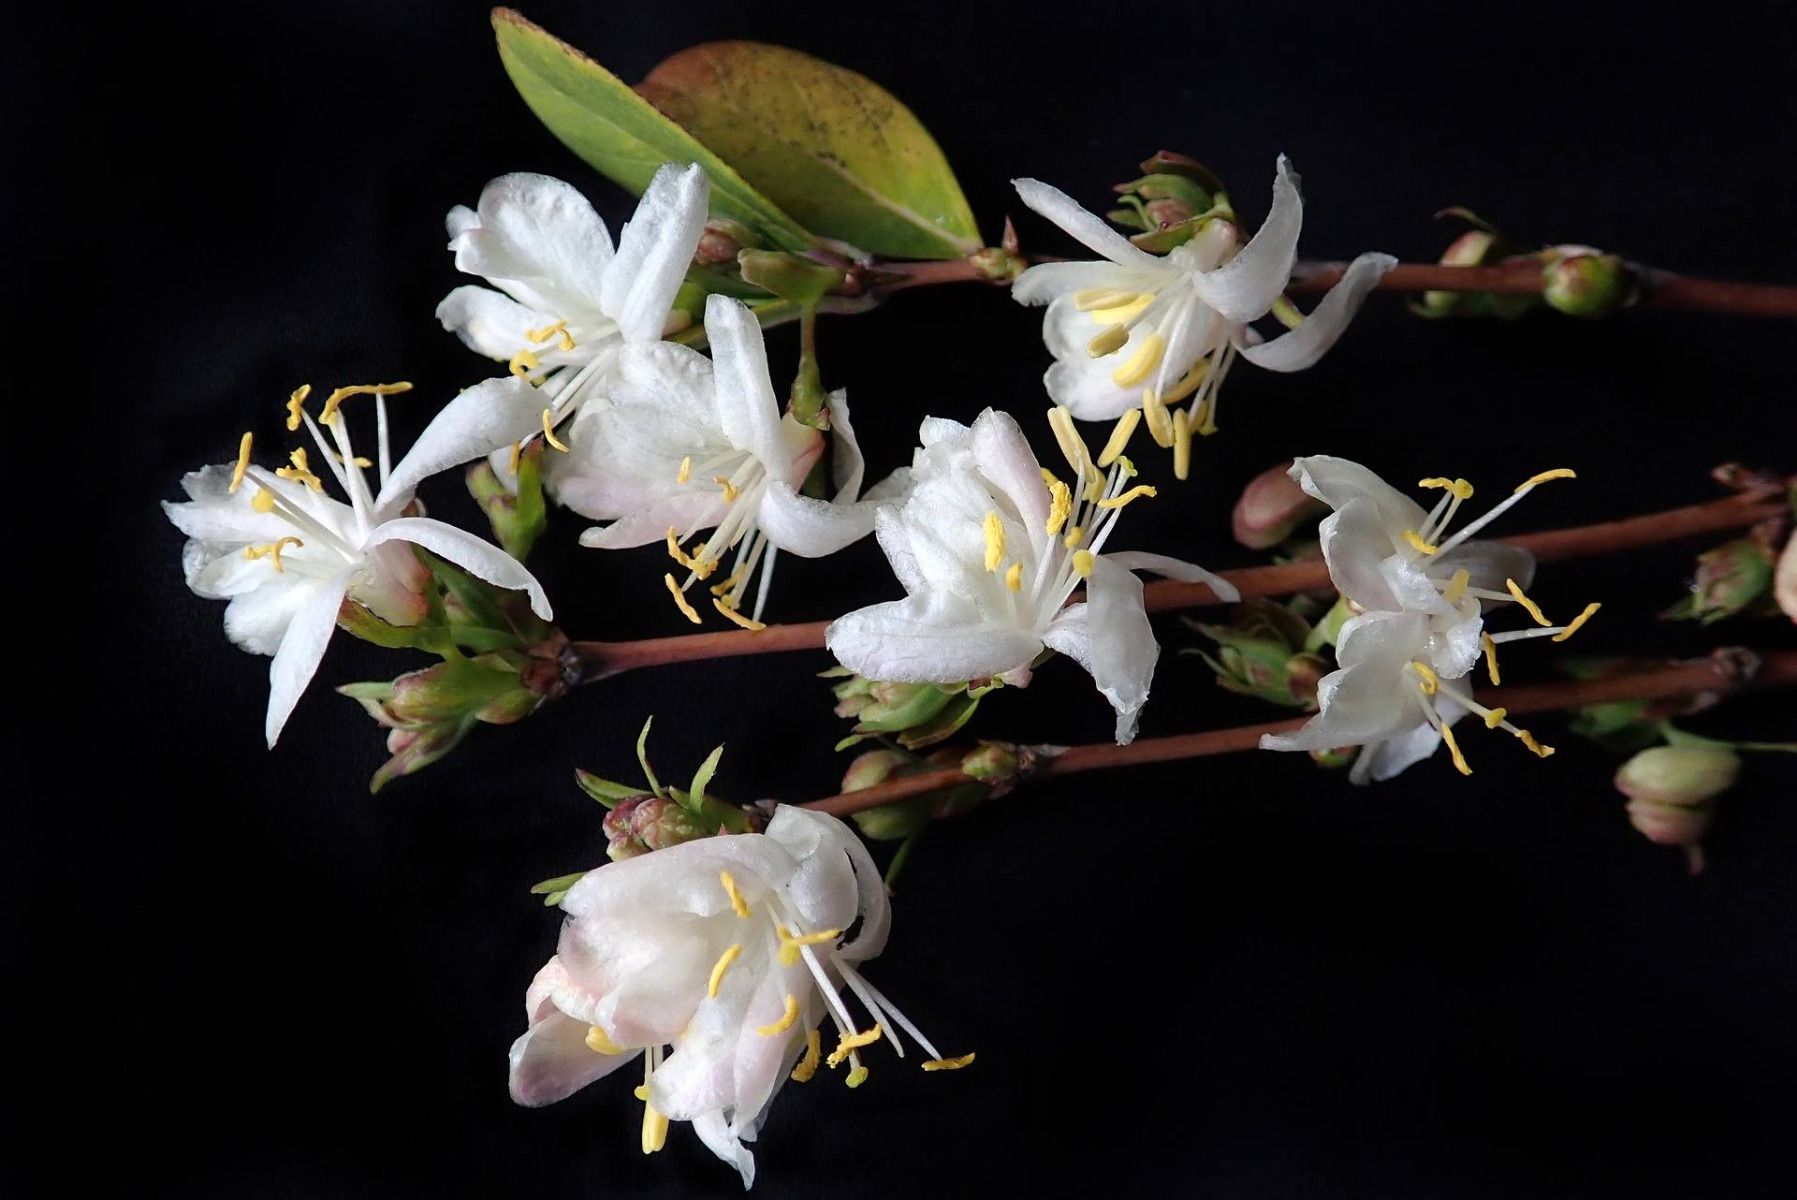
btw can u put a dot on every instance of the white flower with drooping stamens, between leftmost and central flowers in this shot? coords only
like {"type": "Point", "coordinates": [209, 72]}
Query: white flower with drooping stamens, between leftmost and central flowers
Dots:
{"type": "Point", "coordinates": [687, 445]}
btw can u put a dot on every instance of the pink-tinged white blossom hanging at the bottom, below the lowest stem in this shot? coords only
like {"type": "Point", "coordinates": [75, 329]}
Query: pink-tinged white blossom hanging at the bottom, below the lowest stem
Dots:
{"type": "Point", "coordinates": [716, 962]}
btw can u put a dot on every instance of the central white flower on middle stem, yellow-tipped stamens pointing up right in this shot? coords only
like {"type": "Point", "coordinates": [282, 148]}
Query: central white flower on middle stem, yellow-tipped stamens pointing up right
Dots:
{"type": "Point", "coordinates": [989, 547]}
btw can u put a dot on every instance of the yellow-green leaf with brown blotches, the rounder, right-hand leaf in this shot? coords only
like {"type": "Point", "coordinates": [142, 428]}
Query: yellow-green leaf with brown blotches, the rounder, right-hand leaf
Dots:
{"type": "Point", "coordinates": [829, 146]}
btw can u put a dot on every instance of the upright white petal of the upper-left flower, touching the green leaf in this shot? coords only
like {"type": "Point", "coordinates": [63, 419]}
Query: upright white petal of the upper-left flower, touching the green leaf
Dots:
{"type": "Point", "coordinates": [655, 251]}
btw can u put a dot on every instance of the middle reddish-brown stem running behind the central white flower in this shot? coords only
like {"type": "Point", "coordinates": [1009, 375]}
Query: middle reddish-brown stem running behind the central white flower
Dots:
{"type": "Point", "coordinates": [587, 662]}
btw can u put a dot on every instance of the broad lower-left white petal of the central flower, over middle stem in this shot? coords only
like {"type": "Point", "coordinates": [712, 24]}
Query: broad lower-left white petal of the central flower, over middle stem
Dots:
{"type": "Point", "coordinates": [928, 639]}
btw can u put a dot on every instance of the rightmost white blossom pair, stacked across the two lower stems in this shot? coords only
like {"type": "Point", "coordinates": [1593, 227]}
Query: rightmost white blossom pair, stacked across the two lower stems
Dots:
{"type": "Point", "coordinates": [1421, 601]}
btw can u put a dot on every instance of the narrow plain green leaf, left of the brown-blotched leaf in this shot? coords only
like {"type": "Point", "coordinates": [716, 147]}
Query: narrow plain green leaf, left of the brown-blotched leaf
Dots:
{"type": "Point", "coordinates": [621, 134]}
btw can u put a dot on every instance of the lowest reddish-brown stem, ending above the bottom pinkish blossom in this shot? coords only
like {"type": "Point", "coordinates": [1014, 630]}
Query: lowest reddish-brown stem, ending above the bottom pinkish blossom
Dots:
{"type": "Point", "coordinates": [1724, 671]}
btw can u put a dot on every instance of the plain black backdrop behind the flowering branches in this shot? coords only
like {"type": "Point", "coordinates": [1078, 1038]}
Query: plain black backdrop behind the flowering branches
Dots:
{"type": "Point", "coordinates": [1239, 978]}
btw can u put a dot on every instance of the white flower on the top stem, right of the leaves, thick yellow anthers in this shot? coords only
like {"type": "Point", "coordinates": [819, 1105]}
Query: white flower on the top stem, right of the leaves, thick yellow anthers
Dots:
{"type": "Point", "coordinates": [1140, 330]}
